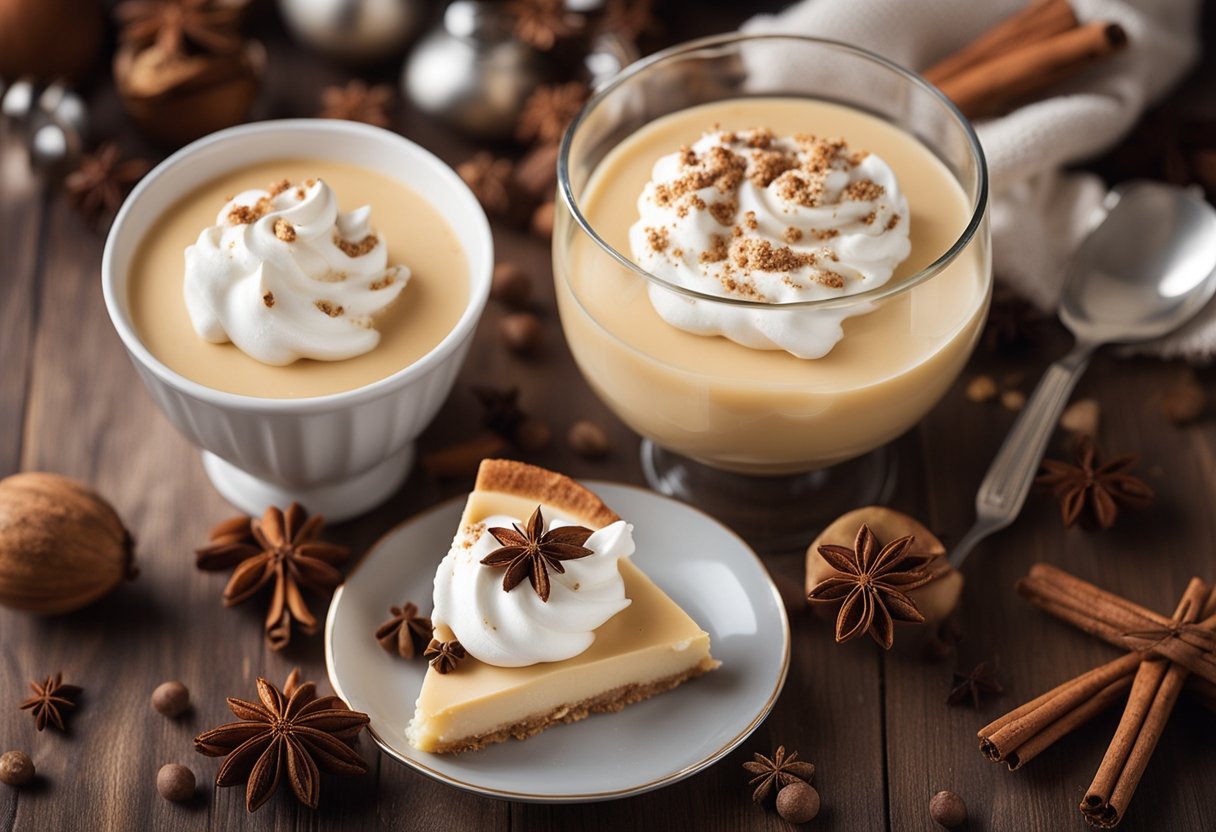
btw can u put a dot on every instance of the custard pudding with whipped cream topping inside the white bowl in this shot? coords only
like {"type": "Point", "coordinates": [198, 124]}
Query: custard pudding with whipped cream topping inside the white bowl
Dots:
{"type": "Point", "coordinates": [297, 278]}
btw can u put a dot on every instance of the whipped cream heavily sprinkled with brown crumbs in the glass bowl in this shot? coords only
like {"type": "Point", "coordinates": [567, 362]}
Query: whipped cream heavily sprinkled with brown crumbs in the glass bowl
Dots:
{"type": "Point", "coordinates": [775, 221]}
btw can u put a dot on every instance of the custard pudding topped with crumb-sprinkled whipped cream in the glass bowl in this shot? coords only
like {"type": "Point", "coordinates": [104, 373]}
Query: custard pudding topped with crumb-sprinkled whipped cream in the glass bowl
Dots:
{"type": "Point", "coordinates": [779, 319]}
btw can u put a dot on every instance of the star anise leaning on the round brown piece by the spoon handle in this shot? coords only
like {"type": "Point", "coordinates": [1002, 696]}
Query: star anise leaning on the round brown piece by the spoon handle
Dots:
{"type": "Point", "coordinates": [871, 588]}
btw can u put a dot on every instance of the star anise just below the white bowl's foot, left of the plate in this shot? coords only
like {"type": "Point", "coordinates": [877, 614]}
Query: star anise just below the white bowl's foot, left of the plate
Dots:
{"type": "Point", "coordinates": [282, 550]}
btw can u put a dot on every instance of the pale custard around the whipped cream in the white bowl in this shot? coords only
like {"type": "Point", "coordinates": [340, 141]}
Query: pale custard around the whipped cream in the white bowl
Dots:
{"type": "Point", "coordinates": [416, 237]}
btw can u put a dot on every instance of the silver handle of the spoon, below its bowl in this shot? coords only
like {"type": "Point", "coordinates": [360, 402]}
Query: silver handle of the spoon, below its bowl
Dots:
{"type": "Point", "coordinates": [1007, 482]}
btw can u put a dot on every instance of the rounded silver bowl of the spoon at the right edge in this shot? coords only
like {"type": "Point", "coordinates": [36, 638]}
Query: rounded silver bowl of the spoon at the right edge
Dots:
{"type": "Point", "coordinates": [1149, 268]}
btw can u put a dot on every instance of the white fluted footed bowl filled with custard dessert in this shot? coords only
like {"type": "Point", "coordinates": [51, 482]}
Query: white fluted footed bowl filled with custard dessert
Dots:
{"type": "Point", "coordinates": [336, 436]}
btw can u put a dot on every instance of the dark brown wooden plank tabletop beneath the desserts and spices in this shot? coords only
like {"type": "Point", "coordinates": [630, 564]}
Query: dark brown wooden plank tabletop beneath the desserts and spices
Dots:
{"type": "Point", "coordinates": [875, 724]}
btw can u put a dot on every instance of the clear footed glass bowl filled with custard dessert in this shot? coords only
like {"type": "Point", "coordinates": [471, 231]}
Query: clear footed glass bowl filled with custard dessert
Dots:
{"type": "Point", "coordinates": [773, 442]}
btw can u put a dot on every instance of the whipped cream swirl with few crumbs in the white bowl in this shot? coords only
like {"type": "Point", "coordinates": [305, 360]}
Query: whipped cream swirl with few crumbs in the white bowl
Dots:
{"type": "Point", "coordinates": [285, 276]}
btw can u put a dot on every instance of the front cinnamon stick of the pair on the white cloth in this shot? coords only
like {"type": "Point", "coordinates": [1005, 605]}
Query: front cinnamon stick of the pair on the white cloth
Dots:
{"type": "Point", "coordinates": [993, 86]}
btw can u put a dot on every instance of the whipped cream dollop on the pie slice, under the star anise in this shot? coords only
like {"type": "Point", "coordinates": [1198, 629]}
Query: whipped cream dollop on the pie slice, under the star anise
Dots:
{"type": "Point", "coordinates": [516, 629]}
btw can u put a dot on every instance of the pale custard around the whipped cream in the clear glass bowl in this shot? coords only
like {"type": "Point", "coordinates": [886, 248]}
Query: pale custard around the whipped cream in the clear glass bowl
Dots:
{"type": "Point", "coordinates": [768, 412]}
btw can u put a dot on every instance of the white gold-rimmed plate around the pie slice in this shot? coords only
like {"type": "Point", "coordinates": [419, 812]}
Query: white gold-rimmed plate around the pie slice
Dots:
{"type": "Point", "coordinates": [701, 564]}
